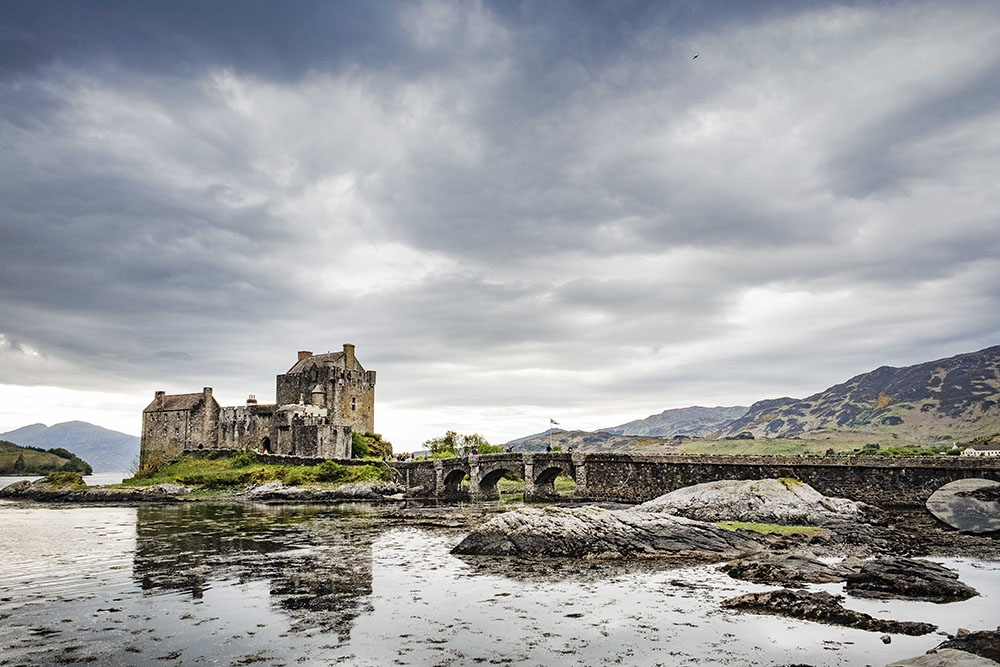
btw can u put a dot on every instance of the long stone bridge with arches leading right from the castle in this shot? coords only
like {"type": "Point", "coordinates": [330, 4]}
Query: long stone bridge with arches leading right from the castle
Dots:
{"type": "Point", "coordinates": [631, 478]}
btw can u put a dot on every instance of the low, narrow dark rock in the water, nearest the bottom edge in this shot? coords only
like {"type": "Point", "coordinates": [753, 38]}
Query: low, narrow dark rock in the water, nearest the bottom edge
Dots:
{"type": "Point", "coordinates": [822, 608]}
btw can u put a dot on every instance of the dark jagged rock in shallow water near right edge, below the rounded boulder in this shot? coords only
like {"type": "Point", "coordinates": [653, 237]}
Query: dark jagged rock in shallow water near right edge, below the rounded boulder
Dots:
{"type": "Point", "coordinates": [907, 579]}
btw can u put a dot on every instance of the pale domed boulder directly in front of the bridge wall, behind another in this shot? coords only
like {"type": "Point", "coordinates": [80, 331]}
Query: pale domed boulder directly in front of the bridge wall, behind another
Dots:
{"type": "Point", "coordinates": [781, 501]}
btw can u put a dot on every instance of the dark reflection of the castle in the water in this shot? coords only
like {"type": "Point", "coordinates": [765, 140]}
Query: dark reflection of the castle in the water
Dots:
{"type": "Point", "coordinates": [319, 572]}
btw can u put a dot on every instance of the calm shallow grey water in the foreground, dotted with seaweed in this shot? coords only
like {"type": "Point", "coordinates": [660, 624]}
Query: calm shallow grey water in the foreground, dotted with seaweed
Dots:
{"type": "Point", "coordinates": [228, 584]}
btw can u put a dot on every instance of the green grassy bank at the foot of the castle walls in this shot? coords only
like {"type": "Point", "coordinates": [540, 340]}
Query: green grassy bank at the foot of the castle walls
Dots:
{"type": "Point", "coordinates": [242, 469]}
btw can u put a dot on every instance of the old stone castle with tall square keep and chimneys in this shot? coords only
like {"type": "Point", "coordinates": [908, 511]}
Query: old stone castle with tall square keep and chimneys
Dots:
{"type": "Point", "coordinates": [320, 401]}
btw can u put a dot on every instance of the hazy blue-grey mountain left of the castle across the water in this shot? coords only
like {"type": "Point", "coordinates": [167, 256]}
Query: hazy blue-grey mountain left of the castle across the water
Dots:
{"type": "Point", "coordinates": [105, 450]}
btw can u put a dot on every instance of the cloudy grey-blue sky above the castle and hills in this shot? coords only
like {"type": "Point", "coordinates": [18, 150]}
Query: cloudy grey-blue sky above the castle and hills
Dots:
{"type": "Point", "coordinates": [516, 211]}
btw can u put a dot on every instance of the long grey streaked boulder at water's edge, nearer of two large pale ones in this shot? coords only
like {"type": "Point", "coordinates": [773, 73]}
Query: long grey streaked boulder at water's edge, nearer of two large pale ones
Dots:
{"type": "Point", "coordinates": [592, 532]}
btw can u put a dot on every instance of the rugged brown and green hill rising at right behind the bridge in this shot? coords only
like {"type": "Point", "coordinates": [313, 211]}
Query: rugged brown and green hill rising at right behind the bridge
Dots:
{"type": "Point", "coordinates": [957, 398]}
